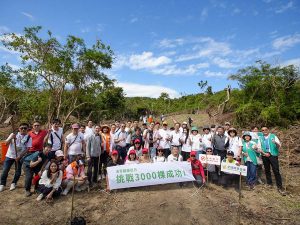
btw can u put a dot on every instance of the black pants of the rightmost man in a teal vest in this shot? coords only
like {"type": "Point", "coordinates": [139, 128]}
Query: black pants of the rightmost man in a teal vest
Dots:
{"type": "Point", "coordinates": [272, 161]}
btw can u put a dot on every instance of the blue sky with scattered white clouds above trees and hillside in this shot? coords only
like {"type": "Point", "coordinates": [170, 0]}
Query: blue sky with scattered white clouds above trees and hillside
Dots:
{"type": "Point", "coordinates": [168, 45]}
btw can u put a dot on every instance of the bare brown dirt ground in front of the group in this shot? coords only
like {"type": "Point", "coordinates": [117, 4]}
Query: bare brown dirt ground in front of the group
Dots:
{"type": "Point", "coordinates": [162, 204]}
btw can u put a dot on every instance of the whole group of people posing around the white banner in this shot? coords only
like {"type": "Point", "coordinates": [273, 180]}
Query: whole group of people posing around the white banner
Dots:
{"type": "Point", "coordinates": [55, 163]}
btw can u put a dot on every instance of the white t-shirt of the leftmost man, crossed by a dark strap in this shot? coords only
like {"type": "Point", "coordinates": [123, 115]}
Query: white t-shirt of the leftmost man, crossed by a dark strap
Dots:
{"type": "Point", "coordinates": [21, 143]}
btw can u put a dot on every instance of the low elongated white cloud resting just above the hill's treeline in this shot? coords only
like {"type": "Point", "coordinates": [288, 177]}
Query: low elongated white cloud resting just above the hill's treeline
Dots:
{"type": "Point", "coordinates": [141, 90]}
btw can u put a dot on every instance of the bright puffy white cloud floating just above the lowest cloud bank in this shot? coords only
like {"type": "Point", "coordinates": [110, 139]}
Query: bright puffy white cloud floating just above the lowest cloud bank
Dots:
{"type": "Point", "coordinates": [146, 60]}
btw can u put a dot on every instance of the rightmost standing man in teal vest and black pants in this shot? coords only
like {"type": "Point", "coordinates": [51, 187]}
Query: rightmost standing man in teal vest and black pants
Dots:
{"type": "Point", "coordinates": [270, 150]}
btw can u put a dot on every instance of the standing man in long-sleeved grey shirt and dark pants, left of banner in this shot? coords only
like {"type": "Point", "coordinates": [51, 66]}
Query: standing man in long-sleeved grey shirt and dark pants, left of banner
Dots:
{"type": "Point", "coordinates": [93, 151]}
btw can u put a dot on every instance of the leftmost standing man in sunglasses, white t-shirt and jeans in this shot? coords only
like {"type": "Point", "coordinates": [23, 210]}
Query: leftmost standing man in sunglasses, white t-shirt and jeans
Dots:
{"type": "Point", "coordinates": [23, 142]}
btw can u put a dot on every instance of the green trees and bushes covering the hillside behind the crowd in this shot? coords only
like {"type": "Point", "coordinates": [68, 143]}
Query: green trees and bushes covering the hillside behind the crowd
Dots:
{"type": "Point", "coordinates": [63, 79]}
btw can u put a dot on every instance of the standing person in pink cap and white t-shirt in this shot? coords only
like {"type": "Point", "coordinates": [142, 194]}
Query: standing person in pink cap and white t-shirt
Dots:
{"type": "Point", "coordinates": [74, 144]}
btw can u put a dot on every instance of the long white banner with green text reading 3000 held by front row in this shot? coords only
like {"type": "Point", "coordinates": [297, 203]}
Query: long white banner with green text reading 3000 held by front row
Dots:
{"type": "Point", "coordinates": [145, 174]}
